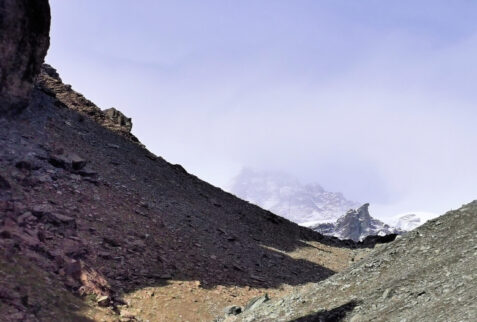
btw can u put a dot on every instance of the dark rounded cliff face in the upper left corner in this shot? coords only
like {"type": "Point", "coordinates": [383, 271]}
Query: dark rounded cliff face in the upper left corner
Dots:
{"type": "Point", "coordinates": [24, 41]}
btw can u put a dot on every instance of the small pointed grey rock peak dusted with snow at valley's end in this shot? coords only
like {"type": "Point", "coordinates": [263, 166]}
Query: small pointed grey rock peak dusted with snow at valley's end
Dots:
{"type": "Point", "coordinates": [356, 225]}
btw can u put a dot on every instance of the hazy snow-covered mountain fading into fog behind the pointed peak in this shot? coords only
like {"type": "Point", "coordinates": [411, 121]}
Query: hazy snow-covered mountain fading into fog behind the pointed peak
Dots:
{"type": "Point", "coordinates": [286, 196]}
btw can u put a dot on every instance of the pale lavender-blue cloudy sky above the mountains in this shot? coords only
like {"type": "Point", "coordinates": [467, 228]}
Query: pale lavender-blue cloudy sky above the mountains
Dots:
{"type": "Point", "coordinates": [375, 99]}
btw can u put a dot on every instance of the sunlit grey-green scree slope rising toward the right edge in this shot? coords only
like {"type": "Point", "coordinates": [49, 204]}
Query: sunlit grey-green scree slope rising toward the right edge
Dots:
{"type": "Point", "coordinates": [427, 275]}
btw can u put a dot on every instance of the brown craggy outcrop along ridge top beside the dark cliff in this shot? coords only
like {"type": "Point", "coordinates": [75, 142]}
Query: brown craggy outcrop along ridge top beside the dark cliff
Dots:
{"type": "Point", "coordinates": [49, 81]}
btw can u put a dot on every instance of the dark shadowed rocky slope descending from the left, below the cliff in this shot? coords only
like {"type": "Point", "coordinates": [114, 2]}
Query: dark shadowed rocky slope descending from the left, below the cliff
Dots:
{"type": "Point", "coordinates": [100, 215]}
